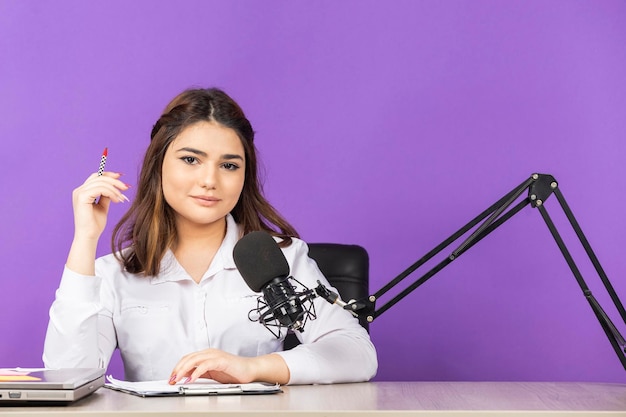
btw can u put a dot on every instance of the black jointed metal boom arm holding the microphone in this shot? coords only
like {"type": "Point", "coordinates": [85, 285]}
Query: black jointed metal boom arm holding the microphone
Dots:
{"type": "Point", "coordinates": [540, 187]}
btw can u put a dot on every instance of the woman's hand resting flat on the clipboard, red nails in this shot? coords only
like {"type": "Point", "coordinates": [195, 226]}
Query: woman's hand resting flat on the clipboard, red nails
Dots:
{"type": "Point", "coordinates": [228, 368]}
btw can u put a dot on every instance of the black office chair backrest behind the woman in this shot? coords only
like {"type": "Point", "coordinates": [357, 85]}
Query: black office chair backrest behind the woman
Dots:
{"type": "Point", "coordinates": [347, 269]}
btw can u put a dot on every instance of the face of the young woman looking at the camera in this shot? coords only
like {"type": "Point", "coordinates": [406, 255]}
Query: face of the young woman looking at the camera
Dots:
{"type": "Point", "coordinates": [203, 173]}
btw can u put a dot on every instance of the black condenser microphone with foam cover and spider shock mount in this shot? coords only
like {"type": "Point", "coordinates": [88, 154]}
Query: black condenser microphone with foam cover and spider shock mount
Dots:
{"type": "Point", "coordinates": [265, 269]}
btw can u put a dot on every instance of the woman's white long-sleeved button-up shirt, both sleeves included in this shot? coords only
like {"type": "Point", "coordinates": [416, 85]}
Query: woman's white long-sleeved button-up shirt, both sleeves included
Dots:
{"type": "Point", "coordinates": [155, 321]}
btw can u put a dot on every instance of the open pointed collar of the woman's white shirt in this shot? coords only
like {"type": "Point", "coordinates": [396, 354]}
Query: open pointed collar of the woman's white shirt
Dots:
{"type": "Point", "coordinates": [171, 270]}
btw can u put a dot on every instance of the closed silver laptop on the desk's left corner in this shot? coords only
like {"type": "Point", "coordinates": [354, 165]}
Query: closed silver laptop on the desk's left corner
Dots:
{"type": "Point", "coordinates": [49, 386]}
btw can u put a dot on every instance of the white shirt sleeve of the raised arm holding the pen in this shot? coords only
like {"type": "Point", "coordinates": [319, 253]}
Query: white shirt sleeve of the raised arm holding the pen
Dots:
{"type": "Point", "coordinates": [80, 332]}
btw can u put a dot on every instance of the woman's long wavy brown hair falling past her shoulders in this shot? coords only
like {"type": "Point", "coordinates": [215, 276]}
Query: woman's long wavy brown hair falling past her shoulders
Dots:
{"type": "Point", "coordinates": [148, 229]}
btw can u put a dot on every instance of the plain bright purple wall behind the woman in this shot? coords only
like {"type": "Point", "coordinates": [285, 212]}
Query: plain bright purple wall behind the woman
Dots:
{"type": "Point", "coordinates": [388, 124]}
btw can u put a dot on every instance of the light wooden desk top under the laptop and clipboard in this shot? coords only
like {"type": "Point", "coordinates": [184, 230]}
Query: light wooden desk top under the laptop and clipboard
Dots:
{"type": "Point", "coordinates": [442, 399]}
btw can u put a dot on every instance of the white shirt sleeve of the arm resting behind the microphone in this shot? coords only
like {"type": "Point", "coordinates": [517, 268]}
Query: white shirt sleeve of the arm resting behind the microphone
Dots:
{"type": "Point", "coordinates": [335, 347]}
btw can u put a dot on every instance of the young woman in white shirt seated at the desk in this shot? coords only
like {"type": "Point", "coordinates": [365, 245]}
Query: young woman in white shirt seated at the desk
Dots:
{"type": "Point", "coordinates": [170, 296]}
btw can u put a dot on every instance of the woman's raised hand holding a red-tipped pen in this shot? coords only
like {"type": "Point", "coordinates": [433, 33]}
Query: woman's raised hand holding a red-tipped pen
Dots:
{"type": "Point", "coordinates": [91, 202]}
